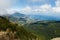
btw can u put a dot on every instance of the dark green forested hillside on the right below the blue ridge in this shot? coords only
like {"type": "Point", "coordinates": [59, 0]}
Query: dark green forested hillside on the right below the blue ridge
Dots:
{"type": "Point", "coordinates": [48, 29]}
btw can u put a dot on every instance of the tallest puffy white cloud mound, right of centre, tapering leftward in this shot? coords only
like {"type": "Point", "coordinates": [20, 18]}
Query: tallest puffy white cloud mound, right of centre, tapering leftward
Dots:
{"type": "Point", "coordinates": [43, 8]}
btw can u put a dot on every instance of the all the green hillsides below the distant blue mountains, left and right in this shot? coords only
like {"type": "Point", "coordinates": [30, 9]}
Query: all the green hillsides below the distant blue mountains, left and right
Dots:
{"type": "Point", "coordinates": [40, 30]}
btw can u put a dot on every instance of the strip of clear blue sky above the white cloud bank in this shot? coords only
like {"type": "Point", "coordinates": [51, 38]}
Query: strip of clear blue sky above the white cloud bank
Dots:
{"type": "Point", "coordinates": [23, 3]}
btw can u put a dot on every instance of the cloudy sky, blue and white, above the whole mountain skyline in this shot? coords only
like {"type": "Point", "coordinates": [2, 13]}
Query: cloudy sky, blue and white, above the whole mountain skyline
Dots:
{"type": "Point", "coordinates": [40, 7]}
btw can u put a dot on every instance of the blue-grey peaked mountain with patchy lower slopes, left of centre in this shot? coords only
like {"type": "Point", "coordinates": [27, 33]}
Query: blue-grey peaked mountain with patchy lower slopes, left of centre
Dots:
{"type": "Point", "coordinates": [19, 18]}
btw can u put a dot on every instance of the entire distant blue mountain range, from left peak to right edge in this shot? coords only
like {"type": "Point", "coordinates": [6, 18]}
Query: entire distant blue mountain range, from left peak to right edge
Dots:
{"type": "Point", "coordinates": [23, 18]}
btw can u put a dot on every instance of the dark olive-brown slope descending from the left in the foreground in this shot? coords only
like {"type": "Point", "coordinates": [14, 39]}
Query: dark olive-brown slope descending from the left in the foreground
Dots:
{"type": "Point", "coordinates": [15, 31]}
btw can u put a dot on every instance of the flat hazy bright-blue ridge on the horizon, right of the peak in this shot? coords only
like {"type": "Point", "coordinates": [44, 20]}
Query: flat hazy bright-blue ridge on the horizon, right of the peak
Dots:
{"type": "Point", "coordinates": [43, 17]}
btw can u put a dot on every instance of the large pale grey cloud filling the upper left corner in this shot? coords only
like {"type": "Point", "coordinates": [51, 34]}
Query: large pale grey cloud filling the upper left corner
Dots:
{"type": "Point", "coordinates": [4, 4]}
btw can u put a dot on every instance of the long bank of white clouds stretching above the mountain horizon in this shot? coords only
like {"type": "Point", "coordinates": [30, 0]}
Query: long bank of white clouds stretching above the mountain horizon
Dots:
{"type": "Point", "coordinates": [45, 9]}
